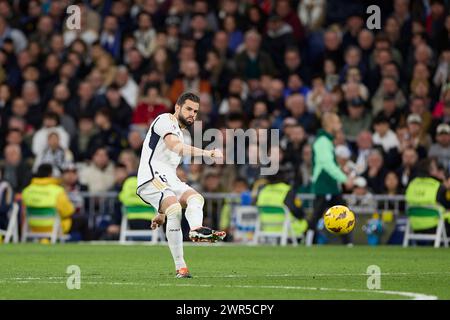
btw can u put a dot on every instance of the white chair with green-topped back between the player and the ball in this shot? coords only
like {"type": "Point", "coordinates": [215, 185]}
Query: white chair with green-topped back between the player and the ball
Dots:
{"type": "Point", "coordinates": [275, 222]}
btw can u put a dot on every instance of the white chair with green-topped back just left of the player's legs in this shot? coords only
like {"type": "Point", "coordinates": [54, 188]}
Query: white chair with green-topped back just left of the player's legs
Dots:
{"type": "Point", "coordinates": [139, 213]}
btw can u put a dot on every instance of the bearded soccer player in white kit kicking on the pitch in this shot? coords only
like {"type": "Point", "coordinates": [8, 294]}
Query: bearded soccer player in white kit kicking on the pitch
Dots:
{"type": "Point", "coordinates": [159, 186]}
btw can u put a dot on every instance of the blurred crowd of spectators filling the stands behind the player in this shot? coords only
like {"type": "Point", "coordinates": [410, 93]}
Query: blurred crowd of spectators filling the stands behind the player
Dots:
{"type": "Point", "coordinates": [82, 100]}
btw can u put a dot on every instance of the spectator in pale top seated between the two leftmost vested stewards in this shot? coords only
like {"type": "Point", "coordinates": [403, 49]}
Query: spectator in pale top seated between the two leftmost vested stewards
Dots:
{"type": "Point", "coordinates": [98, 175]}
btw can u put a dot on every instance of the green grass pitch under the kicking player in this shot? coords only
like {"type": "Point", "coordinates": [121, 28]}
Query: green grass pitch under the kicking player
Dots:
{"type": "Point", "coordinates": [33, 271]}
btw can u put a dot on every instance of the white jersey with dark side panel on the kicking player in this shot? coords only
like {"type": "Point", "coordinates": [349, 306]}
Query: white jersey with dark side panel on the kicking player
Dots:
{"type": "Point", "coordinates": [155, 155]}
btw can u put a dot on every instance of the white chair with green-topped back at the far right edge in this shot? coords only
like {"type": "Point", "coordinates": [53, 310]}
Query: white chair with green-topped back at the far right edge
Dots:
{"type": "Point", "coordinates": [426, 211]}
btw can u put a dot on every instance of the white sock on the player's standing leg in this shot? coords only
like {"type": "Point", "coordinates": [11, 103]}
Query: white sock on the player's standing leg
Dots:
{"type": "Point", "coordinates": [175, 235]}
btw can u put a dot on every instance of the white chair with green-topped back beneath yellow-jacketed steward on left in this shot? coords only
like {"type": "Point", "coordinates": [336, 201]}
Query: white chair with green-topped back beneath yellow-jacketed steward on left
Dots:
{"type": "Point", "coordinates": [42, 223]}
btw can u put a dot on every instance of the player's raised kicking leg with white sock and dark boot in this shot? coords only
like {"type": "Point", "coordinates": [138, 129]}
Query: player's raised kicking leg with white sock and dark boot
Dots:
{"type": "Point", "coordinates": [193, 202]}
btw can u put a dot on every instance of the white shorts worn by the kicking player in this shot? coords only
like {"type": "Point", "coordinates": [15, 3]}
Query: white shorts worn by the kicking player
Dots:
{"type": "Point", "coordinates": [165, 184]}
